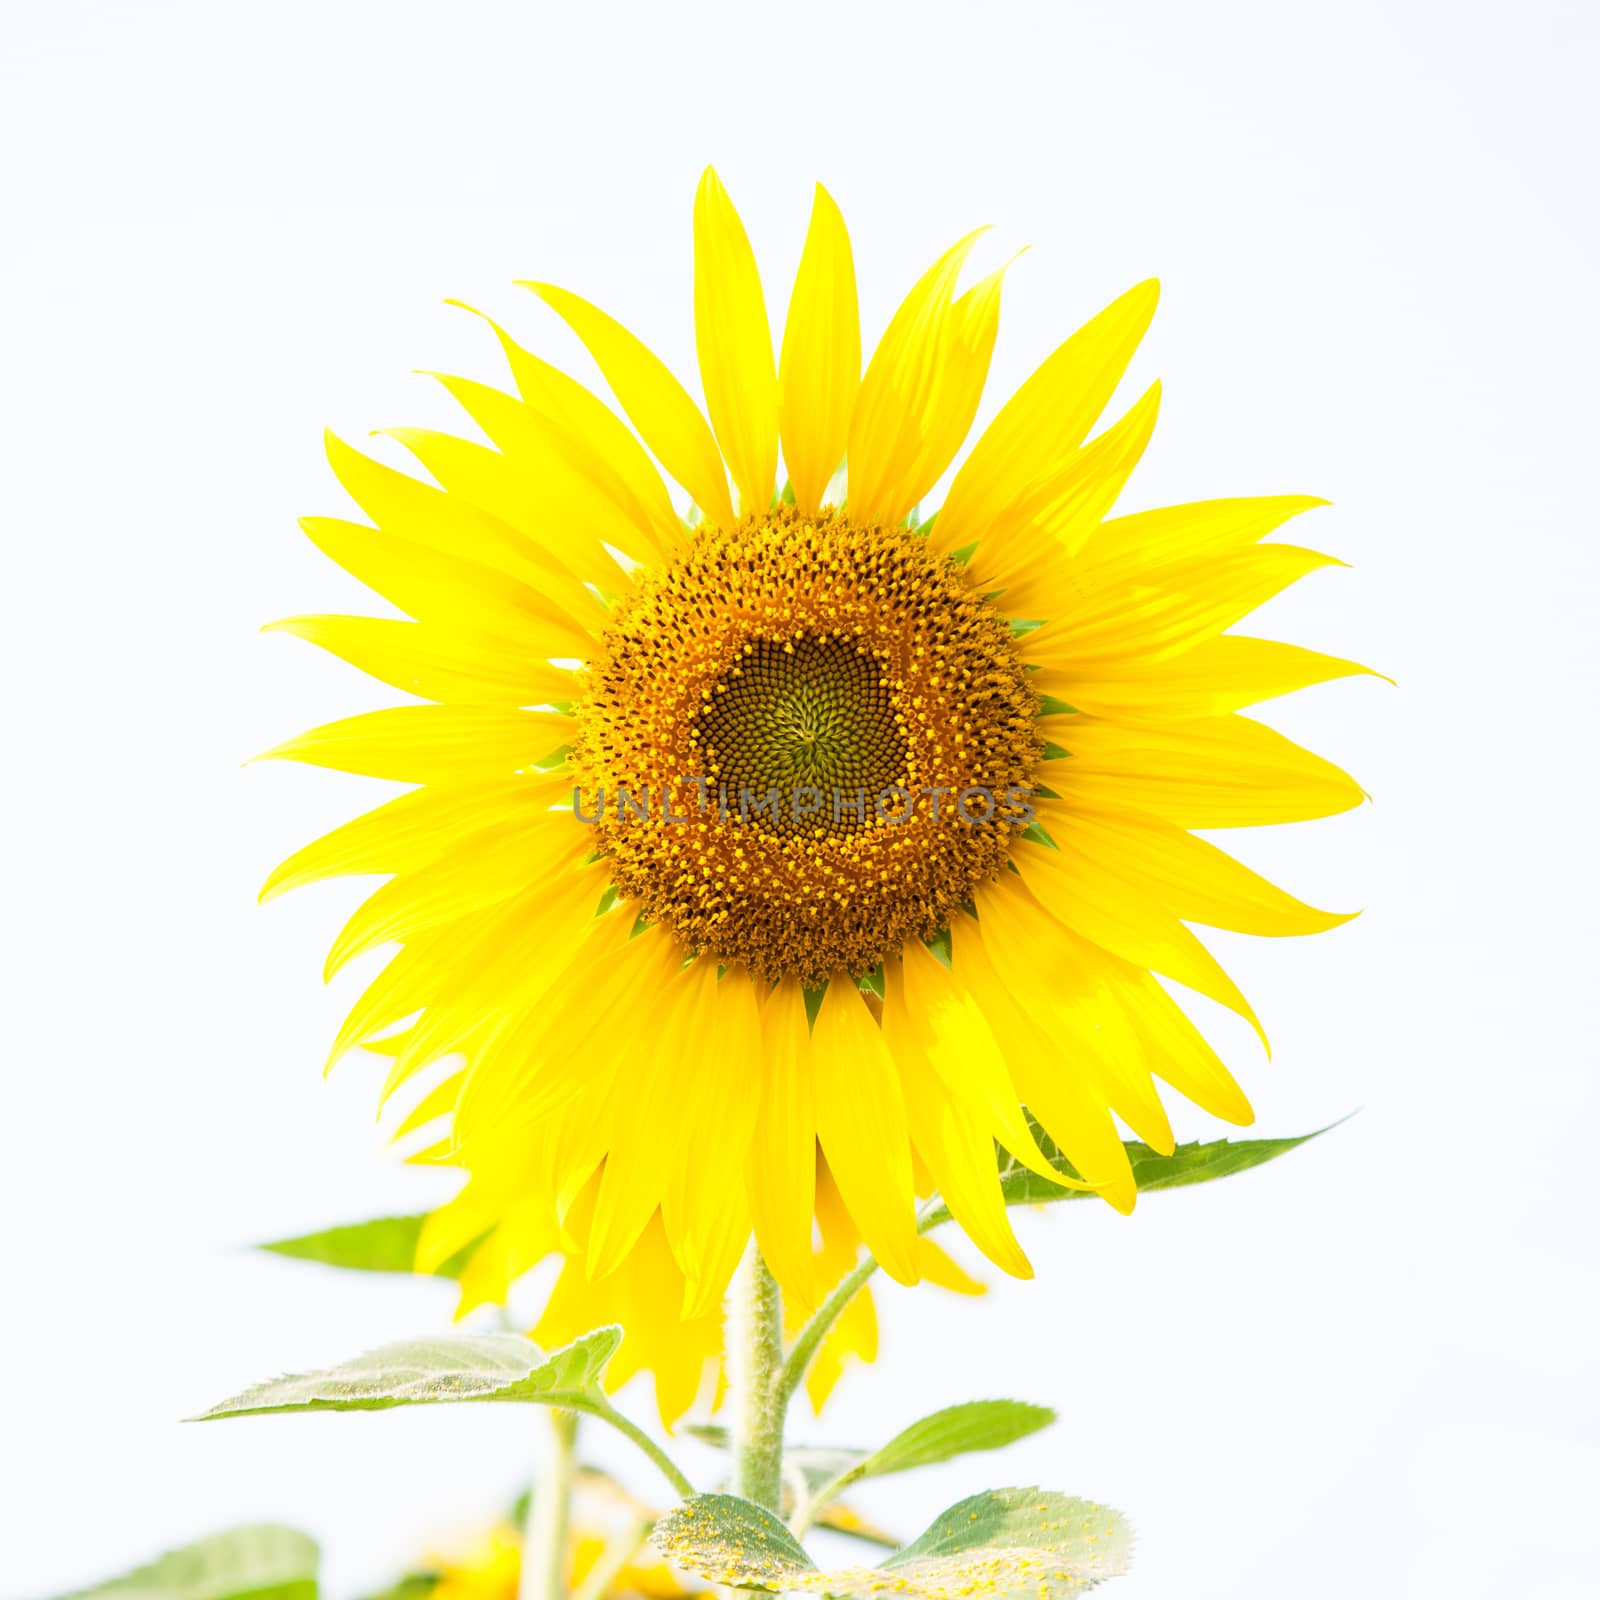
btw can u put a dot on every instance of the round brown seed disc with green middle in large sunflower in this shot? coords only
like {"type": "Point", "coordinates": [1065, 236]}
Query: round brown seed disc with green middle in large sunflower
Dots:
{"type": "Point", "coordinates": [806, 742]}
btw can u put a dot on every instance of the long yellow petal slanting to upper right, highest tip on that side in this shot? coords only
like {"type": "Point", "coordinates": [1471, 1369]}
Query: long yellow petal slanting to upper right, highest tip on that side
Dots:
{"type": "Point", "coordinates": [1046, 422]}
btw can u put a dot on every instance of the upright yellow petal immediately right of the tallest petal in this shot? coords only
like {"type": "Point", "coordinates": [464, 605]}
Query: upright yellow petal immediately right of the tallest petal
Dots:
{"type": "Point", "coordinates": [820, 370]}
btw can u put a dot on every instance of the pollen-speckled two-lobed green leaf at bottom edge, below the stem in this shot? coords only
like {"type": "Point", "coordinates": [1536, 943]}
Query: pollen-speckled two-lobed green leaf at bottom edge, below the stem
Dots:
{"type": "Point", "coordinates": [1009, 1545]}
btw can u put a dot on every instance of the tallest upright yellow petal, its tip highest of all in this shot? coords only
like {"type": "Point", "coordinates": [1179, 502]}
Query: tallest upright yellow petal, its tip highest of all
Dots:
{"type": "Point", "coordinates": [735, 345]}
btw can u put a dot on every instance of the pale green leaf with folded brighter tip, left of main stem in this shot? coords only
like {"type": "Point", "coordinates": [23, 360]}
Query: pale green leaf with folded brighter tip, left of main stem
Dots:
{"type": "Point", "coordinates": [434, 1372]}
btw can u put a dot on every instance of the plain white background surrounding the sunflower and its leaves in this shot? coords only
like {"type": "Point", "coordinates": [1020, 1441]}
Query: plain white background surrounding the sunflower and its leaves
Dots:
{"type": "Point", "coordinates": [1366, 1370]}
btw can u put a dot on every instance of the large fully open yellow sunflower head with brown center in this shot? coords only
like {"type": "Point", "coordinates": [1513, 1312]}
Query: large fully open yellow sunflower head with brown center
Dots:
{"type": "Point", "coordinates": [807, 822]}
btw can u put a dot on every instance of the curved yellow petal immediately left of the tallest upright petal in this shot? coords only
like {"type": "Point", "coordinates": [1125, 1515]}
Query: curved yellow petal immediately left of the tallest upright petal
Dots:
{"type": "Point", "coordinates": [655, 402]}
